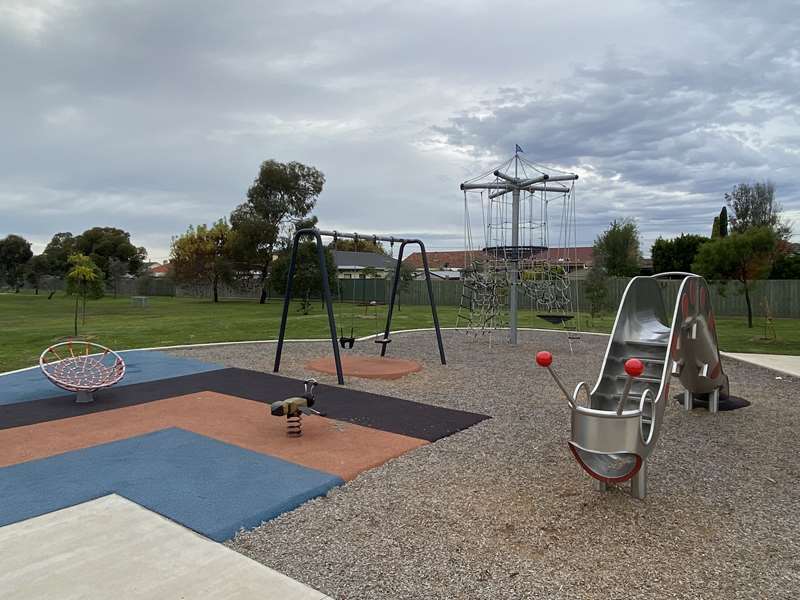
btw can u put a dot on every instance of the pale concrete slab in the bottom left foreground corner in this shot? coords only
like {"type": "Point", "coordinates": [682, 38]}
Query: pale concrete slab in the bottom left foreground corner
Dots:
{"type": "Point", "coordinates": [112, 547]}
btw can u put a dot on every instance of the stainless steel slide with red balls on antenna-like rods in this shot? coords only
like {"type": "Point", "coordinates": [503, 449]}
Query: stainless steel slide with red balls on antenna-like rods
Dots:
{"type": "Point", "coordinates": [616, 429]}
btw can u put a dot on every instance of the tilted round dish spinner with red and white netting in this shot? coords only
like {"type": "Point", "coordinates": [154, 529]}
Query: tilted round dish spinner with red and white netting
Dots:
{"type": "Point", "coordinates": [89, 367]}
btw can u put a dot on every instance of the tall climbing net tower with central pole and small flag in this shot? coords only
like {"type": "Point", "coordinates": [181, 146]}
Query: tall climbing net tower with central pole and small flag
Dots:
{"type": "Point", "coordinates": [527, 214]}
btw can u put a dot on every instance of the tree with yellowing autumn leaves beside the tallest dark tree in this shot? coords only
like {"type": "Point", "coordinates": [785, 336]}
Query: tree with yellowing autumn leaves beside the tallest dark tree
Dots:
{"type": "Point", "coordinates": [203, 255]}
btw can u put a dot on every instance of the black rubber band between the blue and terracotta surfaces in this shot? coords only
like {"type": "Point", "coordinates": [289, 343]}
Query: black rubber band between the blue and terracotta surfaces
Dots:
{"type": "Point", "coordinates": [386, 413]}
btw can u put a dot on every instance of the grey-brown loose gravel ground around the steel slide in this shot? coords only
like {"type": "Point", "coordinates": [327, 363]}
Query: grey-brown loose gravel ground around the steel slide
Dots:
{"type": "Point", "coordinates": [501, 510]}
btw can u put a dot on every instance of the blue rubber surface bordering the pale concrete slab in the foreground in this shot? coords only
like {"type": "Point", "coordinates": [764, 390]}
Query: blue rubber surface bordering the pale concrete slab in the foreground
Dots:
{"type": "Point", "coordinates": [209, 486]}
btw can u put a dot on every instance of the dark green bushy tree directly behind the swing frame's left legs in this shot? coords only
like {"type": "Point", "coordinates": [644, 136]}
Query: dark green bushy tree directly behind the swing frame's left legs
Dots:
{"type": "Point", "coordinates": [307, 278]}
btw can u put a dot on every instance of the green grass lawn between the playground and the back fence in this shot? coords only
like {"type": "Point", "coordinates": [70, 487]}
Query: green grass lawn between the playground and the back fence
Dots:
{"type": "Point", "coordinates": [30, 323]}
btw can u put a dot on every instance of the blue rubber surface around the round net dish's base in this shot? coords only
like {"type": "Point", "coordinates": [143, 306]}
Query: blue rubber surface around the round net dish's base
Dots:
{"type": "Point", "coordinates": [141, 366]}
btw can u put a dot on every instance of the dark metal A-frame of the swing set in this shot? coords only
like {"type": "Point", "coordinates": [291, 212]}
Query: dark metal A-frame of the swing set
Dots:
{"type": "Point", "coordinates": [318, 234]}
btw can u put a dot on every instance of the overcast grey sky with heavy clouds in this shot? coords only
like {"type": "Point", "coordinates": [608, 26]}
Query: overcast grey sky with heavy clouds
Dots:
{"type": "Point", "coordinates": [153, 115]}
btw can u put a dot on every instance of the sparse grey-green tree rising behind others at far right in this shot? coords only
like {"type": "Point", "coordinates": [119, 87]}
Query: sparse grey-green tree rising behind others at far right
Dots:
{"type": "Point", "coordinates": [754, 206]}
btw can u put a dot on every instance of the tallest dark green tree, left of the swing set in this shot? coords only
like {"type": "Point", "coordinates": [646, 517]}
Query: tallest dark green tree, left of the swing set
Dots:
{"type": "Point", "coordinates": [282, 193]}
